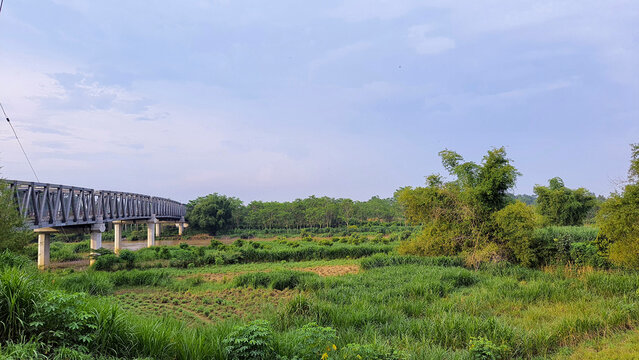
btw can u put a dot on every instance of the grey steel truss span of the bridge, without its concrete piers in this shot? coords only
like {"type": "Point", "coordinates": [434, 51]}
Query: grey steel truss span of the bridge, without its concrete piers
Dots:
{"type": "Point", "coordinates": [52, 205]}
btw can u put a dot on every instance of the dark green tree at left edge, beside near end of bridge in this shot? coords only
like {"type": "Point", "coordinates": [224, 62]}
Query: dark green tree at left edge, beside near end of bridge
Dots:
{"type": "Point", "coordinates": [13, 233]}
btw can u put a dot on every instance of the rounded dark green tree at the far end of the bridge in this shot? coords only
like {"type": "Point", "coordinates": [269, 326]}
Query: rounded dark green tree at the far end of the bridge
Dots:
{"type": "Point", "coordinates": [212, 213]}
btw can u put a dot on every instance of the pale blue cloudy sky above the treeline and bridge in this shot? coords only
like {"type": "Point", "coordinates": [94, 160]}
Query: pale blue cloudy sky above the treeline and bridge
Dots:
{"type": "Point", "coordinates": [274, 100]}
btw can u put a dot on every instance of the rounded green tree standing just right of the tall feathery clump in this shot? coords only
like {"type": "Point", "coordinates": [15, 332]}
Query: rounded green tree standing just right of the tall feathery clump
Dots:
{"type": "Point", "coordinates": [563, 206]}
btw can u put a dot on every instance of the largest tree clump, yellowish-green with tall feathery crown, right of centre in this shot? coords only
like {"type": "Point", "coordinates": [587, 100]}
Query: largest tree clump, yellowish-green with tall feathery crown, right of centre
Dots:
{"type": "Point", "coordinates": [457, 215]}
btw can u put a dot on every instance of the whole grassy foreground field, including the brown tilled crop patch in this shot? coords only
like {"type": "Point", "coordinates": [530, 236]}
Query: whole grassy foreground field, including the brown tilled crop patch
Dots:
{"type": "Point", "coordinates": [340, 300]}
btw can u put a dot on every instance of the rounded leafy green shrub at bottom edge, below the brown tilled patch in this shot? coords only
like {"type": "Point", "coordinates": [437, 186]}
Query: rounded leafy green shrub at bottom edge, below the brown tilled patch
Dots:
{"type": "Point", "coordinates": [253, 341]}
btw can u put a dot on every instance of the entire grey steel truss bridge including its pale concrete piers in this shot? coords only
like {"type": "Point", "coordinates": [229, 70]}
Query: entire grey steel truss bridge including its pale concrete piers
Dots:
{"type": "Point", "coordinates": [49, 208]}
